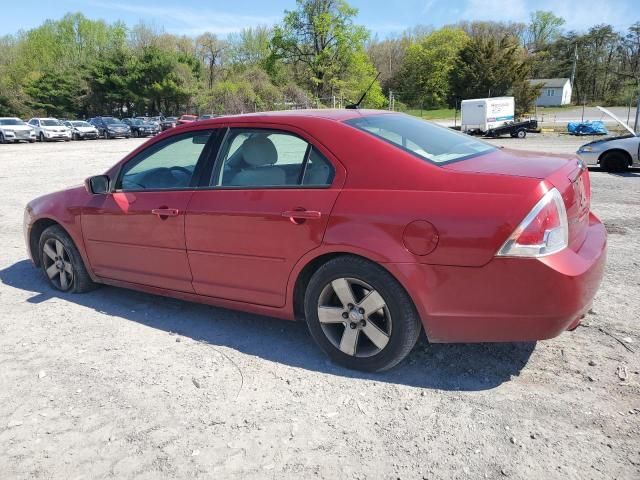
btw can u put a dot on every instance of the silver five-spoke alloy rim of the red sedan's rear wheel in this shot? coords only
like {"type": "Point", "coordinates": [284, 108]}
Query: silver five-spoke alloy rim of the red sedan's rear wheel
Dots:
{"type": "Point", "coordinates": [354, 317]}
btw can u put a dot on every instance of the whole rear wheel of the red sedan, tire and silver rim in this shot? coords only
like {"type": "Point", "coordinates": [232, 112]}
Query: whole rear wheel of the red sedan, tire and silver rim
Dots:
{"type": "Point", "coordinates": [360, 315]}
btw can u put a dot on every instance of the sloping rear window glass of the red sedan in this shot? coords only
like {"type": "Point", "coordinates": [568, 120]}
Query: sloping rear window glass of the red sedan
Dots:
{"type": "Point", "coordinates": [423, 139]}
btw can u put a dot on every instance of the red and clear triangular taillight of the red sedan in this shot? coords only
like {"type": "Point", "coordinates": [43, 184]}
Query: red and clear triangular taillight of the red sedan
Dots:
{"type": "Point", "coordinates": [543, 231]}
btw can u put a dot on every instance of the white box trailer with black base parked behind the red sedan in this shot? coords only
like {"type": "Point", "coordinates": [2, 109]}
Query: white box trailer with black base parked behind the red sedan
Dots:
{"type": "Point", "coordinates": [492, 117]}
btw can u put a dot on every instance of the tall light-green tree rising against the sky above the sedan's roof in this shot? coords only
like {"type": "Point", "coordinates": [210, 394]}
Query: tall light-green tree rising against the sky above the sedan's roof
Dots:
{"type": "Point", "coordinates": [320, 40]}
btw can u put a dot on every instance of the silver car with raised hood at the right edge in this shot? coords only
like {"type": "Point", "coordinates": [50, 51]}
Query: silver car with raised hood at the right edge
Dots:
{"type": "Point", "coordinates": [613, 153]}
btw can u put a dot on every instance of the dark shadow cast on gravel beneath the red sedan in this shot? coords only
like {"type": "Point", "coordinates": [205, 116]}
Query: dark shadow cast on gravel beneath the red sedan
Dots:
{"type": "Point", "coordinates": [460, 367]}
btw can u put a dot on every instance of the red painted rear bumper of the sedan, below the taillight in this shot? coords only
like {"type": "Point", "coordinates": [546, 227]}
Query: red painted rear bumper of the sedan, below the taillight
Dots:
{"type": "Point", "coordinates": [509, 299]}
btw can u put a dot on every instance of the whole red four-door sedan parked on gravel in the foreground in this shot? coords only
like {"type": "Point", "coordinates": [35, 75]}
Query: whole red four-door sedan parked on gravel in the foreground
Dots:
{"type": "Point", "coordinates": [369, 225]}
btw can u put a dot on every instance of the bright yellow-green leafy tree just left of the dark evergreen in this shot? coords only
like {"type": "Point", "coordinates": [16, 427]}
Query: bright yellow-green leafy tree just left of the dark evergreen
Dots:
{"type": "Point", "coordinates": [424, 79]}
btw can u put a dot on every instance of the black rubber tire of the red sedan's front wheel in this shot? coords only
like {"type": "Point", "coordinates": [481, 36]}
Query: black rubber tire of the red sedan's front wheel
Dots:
{"type": "Point", "coordinates": [78, 280]}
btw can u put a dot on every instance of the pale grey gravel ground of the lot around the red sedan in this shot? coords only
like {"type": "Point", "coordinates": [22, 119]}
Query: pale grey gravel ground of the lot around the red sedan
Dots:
{"type": "Point", "coordinates": [120, 384]}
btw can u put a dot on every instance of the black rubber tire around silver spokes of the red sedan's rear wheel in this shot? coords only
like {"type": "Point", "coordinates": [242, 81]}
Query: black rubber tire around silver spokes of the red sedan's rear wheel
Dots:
{"type": "Point", "coordinates": [401, 321]}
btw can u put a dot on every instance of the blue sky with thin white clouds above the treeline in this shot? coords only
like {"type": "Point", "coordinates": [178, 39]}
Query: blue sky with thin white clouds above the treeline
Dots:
{"type": "Point", "coordinates": [384, 18]}
